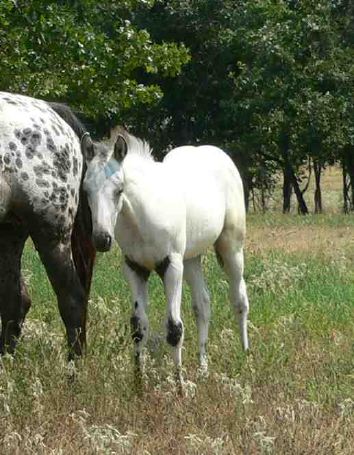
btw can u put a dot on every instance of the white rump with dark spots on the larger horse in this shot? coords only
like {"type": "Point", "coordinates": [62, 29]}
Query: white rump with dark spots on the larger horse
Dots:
{"type": "Point", "coordinates": [40, 160]}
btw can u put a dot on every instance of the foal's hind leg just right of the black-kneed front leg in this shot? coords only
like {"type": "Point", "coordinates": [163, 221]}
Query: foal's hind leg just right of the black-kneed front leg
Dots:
{"type": "Point", "coordinates": [193, 274]}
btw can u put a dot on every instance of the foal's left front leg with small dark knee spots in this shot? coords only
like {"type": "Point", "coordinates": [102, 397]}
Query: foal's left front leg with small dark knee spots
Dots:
{"type": "Point", "coordinates": [137, 278]}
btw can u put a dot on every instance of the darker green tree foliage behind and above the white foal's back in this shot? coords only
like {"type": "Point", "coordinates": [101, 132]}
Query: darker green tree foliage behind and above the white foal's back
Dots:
{"type": "Point", "coordinates": [269, 81]}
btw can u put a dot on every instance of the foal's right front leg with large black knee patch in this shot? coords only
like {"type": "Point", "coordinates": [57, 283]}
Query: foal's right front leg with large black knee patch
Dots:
{"type": "Point", "coordinates": [172, 278]}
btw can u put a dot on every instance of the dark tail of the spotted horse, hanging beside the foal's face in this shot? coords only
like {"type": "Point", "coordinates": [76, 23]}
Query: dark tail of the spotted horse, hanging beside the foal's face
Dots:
{"type": "Point", "coordinates": [81, 238]}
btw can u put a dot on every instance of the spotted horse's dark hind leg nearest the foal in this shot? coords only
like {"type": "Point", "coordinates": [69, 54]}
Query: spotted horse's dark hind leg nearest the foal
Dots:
{"type": "Point", "coordinates": [57, 259]}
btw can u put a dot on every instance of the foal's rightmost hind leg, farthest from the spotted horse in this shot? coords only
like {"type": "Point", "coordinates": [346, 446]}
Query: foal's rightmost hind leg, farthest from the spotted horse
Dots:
{"type": "Point", "coordinates": [231, 259]}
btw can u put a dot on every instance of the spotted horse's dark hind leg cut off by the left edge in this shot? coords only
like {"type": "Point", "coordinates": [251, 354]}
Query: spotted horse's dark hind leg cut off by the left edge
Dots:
{"type": "Point", "coordinates": [14, 301]}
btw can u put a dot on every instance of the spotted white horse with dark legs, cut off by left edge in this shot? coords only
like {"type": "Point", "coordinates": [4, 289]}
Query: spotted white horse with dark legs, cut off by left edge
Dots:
{"type": "Point", "coordinates": [41, 168]}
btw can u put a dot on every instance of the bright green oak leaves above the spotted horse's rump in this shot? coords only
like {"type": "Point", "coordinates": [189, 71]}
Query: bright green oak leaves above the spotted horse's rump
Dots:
{"type": "Point", "coordinates": [85, 52]}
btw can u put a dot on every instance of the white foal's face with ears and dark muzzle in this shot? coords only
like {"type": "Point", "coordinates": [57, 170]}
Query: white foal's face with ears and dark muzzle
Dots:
{"type": "Point", "coordinates": [104, 184]}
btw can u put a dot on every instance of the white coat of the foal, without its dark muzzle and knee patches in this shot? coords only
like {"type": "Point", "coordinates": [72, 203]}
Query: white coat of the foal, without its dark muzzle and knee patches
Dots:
{"type": "Point", "coordinates": [176, 209]}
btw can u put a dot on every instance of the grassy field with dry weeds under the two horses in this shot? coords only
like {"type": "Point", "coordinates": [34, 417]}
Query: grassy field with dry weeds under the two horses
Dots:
{"type": "Point", "coordinates": [293, 394]}
